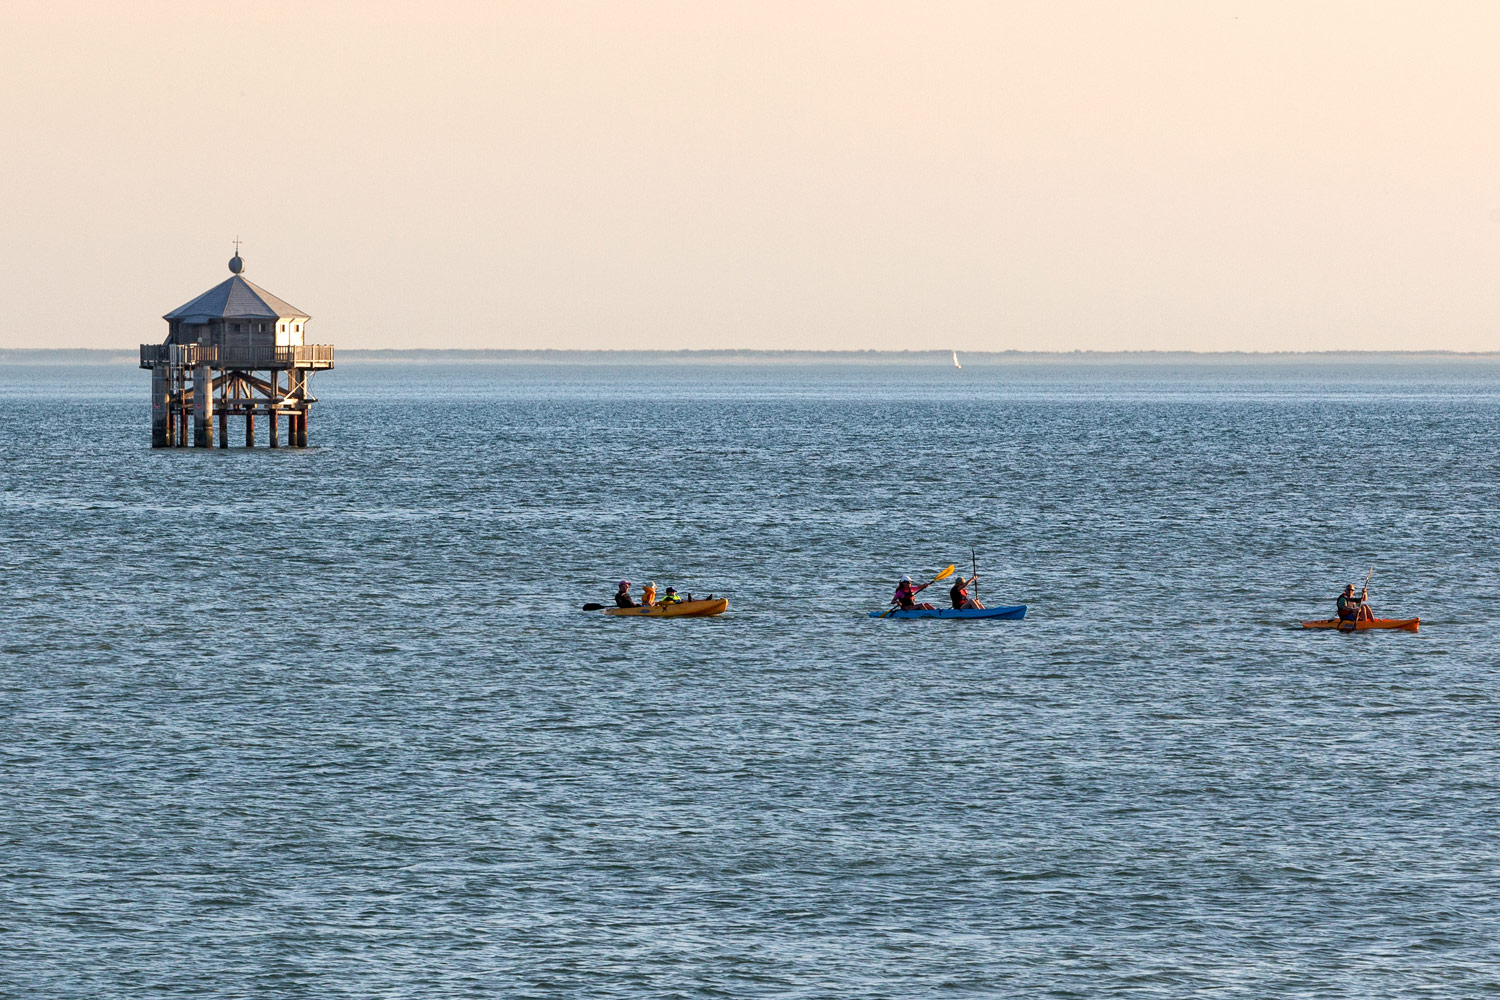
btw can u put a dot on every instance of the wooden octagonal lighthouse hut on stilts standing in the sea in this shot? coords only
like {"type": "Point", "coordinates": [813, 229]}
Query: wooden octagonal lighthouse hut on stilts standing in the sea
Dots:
{"type": "Point", "coordinates": [233, 352]}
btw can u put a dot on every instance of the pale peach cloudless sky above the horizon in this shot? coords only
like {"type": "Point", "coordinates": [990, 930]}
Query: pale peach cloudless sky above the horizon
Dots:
{"type": "Point", "coordinates": [991, 176]}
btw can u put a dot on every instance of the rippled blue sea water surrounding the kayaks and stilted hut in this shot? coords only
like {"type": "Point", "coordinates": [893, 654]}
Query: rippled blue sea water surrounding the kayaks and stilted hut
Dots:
{"type": "Point", "coordinates": [329, 723]}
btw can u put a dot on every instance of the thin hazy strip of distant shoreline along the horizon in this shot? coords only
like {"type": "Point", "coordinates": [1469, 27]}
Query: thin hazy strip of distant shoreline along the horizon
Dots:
{"type": "Point", "coordinates": [104, 356]}
